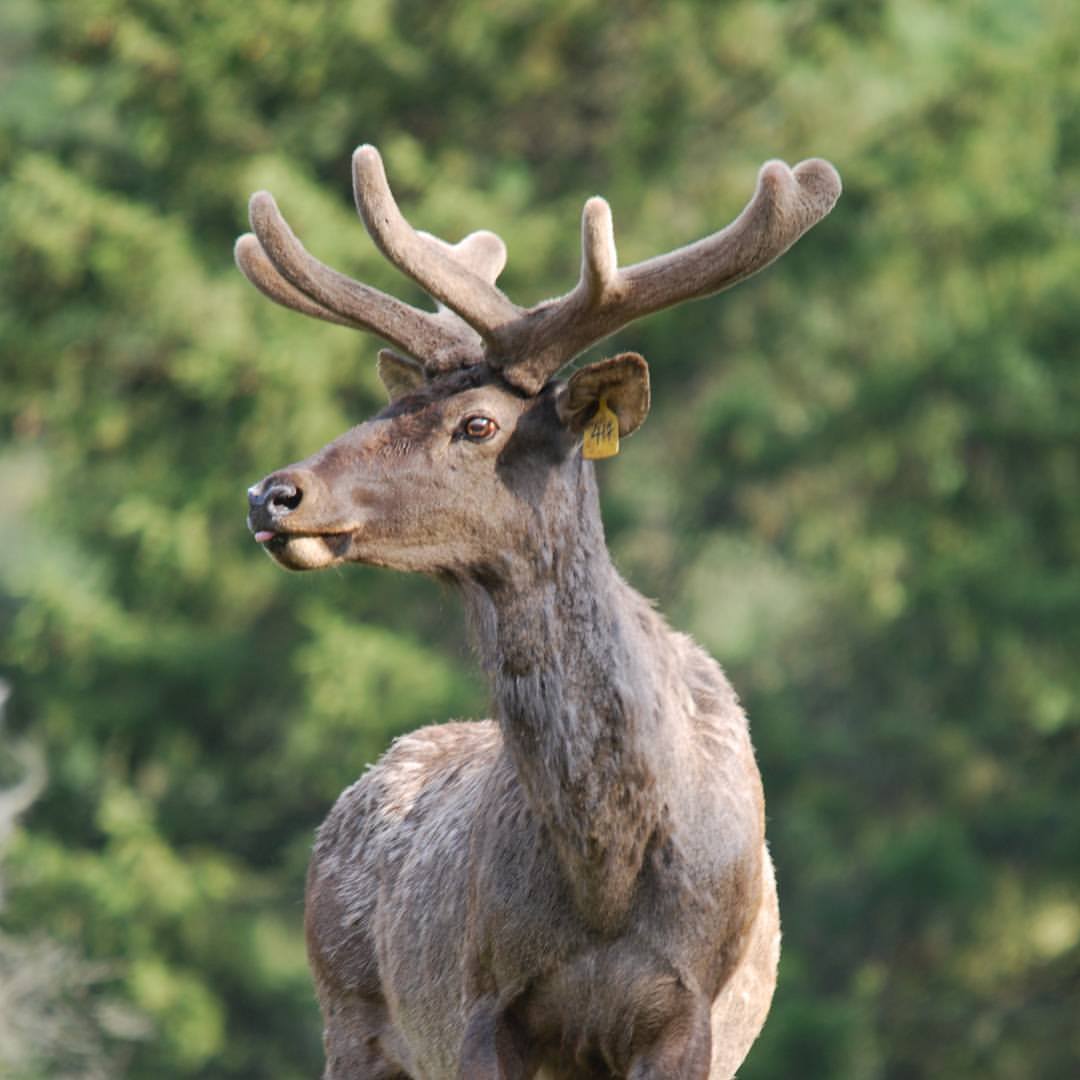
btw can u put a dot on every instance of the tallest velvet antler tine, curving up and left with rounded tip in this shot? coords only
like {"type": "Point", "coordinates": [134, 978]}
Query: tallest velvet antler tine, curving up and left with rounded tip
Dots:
{"type": "Point", "coordinates": [464, 291]}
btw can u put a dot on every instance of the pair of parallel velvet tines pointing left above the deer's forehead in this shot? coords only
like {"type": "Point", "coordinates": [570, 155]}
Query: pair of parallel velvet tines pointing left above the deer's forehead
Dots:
{"type": "Point", "coordinates": [280, 267]}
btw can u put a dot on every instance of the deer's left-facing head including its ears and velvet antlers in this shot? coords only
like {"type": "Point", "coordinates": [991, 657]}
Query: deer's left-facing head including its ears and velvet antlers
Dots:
{"type": "Point", "coordinates": [480, 442]}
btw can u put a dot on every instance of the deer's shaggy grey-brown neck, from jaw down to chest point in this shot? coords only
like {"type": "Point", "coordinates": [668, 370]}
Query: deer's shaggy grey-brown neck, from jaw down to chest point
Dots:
{"type": "Point", "coordinates": [577, 661]}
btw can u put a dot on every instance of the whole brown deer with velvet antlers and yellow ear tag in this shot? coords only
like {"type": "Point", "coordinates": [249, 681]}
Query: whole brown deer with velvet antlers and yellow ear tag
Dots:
{"type": "Point", "coordinates": [578, 887]}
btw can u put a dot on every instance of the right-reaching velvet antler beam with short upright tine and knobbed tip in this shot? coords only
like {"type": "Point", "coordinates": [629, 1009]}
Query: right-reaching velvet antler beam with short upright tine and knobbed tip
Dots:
{"type": "Point", "coordinates": [786, 205]}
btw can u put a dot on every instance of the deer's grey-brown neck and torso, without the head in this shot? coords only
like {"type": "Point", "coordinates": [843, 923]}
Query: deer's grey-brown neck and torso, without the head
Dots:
{"type": "Point", "coordinates": [510, 874]}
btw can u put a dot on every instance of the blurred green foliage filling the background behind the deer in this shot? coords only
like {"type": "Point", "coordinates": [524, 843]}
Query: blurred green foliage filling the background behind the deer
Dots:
{"type": "Point", "coordinates": [860, 487]}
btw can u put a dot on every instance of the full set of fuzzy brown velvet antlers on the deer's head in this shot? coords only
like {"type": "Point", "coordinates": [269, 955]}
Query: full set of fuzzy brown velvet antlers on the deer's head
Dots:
{"type": "Point", "coordinates": [479, 323]}
